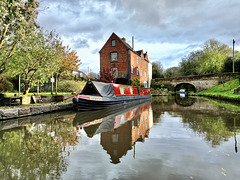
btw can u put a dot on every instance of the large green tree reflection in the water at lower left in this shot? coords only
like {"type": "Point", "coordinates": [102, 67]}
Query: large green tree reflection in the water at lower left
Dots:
{"type": "Point", "coordinates": [37, 154]}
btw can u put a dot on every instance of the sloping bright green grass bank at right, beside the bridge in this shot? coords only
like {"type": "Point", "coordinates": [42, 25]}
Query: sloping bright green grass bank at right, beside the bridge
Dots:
{"type": "Point", "coordinates": [225, 90]}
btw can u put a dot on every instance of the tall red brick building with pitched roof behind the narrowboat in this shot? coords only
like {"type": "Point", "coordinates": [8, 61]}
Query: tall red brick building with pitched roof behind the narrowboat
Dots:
{"type": "Point", "coordinates": [118, 55]}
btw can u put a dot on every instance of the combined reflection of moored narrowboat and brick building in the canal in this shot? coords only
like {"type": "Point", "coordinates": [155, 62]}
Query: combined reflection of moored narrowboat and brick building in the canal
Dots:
{"type": "Point", "coordinates": [120, 130]}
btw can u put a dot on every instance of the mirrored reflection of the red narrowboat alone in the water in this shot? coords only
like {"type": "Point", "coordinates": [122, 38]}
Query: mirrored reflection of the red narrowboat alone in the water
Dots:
{"type": "Point", "coordinates": [106, 120]}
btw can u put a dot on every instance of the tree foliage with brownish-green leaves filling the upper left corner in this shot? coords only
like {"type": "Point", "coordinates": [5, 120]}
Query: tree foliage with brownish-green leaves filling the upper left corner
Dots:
{"type": "Point", "coordinates": [17, 20]}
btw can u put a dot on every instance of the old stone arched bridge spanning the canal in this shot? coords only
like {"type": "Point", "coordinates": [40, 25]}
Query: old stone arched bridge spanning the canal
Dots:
{"type": "Point", "coordinates": [199, 82]}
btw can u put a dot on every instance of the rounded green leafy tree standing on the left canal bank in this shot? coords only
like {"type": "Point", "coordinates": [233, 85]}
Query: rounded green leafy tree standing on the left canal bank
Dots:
{"type": "Point", "coordinates": [35, 60]}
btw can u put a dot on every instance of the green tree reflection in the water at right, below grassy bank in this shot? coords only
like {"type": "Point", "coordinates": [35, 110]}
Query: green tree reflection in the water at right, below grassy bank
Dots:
{"type": "Point", "coordinates": [213, 129]}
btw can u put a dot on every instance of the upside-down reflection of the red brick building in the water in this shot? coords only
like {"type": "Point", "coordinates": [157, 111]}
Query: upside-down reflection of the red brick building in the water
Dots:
{"type": "Point", "coordinates": [121, 139]}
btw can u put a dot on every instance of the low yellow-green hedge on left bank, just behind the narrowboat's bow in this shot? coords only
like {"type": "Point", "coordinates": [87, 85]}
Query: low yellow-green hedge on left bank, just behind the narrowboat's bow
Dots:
{"type": "Point", "coordinates": [71, 86]}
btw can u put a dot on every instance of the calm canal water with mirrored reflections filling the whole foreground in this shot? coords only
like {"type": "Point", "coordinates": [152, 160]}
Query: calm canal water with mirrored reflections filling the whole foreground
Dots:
{"type": "Point", "coordinates": [168, 138]}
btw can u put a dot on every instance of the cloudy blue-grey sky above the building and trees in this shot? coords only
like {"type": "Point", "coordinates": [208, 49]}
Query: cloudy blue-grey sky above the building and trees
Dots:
{"type": "Point", "coordinates": [167, 30]}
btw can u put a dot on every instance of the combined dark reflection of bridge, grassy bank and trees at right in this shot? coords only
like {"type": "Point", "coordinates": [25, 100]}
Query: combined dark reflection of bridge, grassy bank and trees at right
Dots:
{"type": "Point", "coordinates": [213, 122]}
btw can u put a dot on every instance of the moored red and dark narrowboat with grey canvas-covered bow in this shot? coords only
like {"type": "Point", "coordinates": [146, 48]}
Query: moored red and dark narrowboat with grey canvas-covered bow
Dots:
{"type": "Point", "coordinates": [99, 95]}
